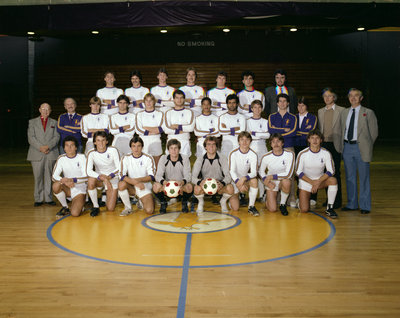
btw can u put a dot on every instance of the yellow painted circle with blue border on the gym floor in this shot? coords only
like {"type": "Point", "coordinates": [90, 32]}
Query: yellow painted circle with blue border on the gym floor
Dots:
{"type": "Point", "coordinates": [214, 240]}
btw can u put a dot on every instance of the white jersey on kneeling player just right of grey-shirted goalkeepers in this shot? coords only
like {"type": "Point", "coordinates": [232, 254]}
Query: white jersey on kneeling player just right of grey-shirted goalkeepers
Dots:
{"type": "Point", "coordinates": [242, 164]}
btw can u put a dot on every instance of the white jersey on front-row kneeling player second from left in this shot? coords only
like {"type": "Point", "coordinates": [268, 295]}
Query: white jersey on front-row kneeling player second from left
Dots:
{"type": "Point", "coordinates": [106, 162]}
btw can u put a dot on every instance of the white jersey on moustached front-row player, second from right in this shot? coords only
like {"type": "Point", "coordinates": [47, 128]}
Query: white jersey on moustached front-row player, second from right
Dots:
{"type": "Point", "coordinates": [281, 167]}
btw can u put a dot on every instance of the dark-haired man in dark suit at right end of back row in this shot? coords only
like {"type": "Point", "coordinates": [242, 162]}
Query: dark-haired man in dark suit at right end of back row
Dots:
{"type": "Point", "coordinates": [273, 91]}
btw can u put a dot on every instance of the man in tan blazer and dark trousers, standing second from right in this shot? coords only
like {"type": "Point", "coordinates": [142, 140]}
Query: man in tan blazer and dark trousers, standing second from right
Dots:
{"type": "Point", "coordinates": [330, 126]}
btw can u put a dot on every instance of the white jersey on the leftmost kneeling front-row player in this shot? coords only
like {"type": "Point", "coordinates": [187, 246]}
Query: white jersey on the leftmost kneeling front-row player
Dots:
{"type": "Point", "coordinates": [74, 168]}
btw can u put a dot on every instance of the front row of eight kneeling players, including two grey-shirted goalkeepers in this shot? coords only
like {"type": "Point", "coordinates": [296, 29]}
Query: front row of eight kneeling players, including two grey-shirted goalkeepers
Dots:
{"type": "Point", "coordinates": [134, 174]}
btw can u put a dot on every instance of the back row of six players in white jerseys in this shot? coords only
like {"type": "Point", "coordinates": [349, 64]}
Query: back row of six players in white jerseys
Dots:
{"type": "Point", "coordinates": [193, 93]}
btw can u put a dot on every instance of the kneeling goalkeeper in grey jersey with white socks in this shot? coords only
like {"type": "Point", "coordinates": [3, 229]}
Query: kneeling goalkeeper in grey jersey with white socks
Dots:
{"type": "Point", "coordinates": [212, 165]}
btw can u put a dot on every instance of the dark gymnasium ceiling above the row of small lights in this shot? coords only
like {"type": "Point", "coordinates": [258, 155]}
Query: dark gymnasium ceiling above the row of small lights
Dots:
{"type": "Point", "coordinates": [64, 18]}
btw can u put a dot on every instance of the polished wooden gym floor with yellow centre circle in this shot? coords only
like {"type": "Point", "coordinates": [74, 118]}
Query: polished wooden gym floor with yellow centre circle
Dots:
{"type": "Point", "coordinates": [301, 266]}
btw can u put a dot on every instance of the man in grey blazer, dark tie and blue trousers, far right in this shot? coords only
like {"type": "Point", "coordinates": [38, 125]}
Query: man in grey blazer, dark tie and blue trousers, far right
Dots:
{"type": "Point", "coordinates": [359, 132]}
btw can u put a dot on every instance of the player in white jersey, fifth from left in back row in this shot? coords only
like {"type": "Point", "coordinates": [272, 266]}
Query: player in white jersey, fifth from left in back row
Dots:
{"type": "Point", "coordinates": [219, 94]}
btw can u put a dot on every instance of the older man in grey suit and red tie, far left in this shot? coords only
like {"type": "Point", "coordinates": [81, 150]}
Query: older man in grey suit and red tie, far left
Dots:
{"type": "Point", "coordinates": [43, 152]}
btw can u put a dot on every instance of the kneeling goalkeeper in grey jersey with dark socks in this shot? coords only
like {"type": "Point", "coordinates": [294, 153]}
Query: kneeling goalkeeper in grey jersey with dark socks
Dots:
{"type": "Point", "coordinates": [176, 167]}
